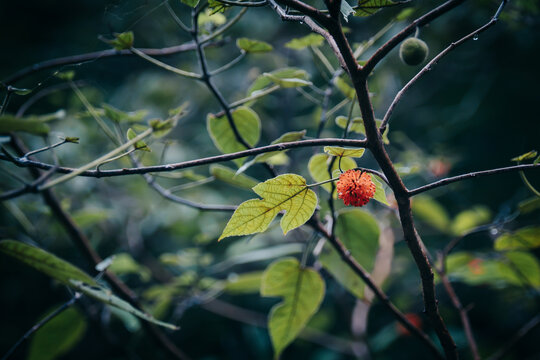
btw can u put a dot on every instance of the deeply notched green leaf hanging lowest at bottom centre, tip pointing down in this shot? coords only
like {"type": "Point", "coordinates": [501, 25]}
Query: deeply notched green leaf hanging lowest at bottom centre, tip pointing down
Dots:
{"type": "Point", "coordinates": [302, 290]}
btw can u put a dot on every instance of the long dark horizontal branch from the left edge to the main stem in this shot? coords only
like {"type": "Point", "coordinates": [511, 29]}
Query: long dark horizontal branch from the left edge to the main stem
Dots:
{"type": "Point", "coordinates": [191, 163]}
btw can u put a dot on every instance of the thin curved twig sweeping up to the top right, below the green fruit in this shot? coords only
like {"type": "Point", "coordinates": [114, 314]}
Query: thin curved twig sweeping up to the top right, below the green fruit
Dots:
{"type": "Point", "coordinates": [434, 62]}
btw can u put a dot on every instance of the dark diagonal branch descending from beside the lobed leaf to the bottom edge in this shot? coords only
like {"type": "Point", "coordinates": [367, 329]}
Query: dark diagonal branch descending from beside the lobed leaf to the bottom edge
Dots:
{"type": "Point", "coordinates": [364, 275]}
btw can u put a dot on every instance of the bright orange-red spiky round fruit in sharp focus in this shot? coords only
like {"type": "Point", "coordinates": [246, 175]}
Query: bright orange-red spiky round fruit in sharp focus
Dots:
{"type": "Point", "coordinates": [355, 187]}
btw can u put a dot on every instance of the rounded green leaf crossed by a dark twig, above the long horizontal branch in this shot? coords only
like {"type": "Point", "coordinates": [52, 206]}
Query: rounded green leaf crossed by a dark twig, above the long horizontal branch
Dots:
{"type": "Point", "coordinates": [247, 123]}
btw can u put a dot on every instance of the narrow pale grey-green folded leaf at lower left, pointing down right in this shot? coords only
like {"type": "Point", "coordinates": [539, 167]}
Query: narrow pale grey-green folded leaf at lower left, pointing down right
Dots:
{"type": "Point", "coordinates": [105, 296]}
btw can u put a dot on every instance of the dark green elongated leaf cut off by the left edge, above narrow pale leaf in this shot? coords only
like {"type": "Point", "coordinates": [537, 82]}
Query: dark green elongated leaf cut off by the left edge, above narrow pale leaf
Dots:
{"type": "Point", "coordinates": [44, 262]}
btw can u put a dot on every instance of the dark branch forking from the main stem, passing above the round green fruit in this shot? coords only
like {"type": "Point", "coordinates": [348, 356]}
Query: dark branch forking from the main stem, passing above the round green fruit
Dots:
{"type": "Point", "coordinates": [394, 41]}
